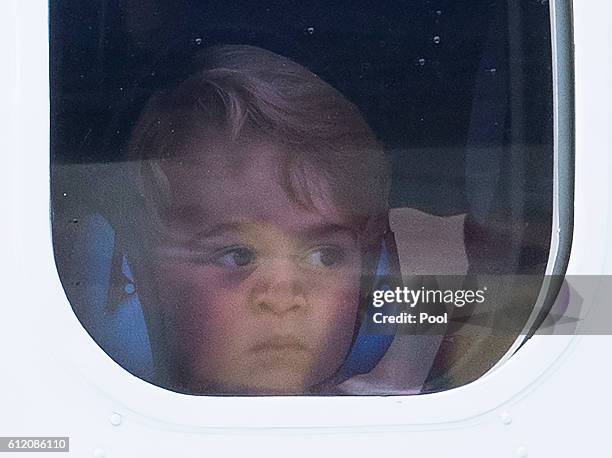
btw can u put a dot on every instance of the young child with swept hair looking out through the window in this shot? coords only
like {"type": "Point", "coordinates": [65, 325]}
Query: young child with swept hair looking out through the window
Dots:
{"type": "Point", "coordinates": [264, 201]}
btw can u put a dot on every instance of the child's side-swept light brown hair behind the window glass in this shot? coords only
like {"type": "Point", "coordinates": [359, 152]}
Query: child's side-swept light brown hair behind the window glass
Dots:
{"type": "Point", "coordinates": [248, 93]}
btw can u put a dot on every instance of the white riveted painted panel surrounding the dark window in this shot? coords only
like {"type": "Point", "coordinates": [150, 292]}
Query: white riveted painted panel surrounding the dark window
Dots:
{"type": "Point", "coordinates": [56, 381]}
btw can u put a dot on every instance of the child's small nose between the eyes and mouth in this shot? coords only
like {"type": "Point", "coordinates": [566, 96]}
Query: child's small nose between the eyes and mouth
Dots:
{"type": "Point", "coordinates": [279, 288]}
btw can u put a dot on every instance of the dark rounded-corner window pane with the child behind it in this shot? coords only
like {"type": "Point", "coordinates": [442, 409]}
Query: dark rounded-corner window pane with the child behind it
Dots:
{"type": "Point", "coordinates": [264, 198]}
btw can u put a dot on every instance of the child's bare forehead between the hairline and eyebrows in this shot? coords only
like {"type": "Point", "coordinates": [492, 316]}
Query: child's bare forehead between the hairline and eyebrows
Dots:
{"type": "Point", "coordinates": [206, 190]}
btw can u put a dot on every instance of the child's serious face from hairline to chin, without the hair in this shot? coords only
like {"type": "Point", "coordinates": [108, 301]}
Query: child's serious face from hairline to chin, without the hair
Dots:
{"type": "Point", "coordinates": [257, 294]}
